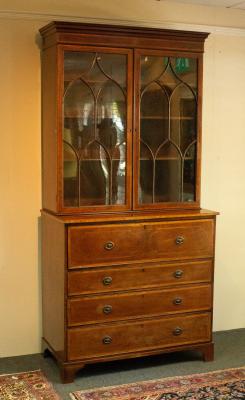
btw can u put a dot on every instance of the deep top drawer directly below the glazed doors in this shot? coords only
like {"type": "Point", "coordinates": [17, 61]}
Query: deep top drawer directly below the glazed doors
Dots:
{"type": "Point", "coordinates": [119, 243]}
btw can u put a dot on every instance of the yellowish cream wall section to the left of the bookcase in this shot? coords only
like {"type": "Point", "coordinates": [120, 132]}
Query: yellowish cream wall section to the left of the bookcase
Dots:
{"type": "Point", "coordinates": [20, 187]}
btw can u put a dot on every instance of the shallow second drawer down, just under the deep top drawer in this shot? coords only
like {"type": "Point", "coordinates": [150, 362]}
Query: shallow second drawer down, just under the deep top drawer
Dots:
{"type": "Point", "coordinates": [143, 275]}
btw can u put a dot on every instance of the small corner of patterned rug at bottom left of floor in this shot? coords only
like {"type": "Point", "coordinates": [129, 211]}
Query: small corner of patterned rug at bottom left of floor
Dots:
{"type": "Point", "coordinates": [26, 386]}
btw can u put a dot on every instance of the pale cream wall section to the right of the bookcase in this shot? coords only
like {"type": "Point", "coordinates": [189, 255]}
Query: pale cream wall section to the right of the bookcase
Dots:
{"type": "Point", "coordinates": [223, 183]}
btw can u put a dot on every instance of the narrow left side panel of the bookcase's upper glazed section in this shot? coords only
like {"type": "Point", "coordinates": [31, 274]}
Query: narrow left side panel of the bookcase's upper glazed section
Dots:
{"type": "Point", "coordinates": [49, 129]}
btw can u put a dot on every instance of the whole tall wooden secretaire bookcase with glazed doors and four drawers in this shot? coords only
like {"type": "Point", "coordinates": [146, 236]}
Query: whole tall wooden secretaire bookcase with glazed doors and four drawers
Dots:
{"type": "Point", "coordinates": [128, 253]}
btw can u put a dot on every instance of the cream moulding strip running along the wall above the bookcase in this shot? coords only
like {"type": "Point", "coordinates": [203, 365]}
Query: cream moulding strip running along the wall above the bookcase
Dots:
{"type": "Point", "coordinates": [220, 30]}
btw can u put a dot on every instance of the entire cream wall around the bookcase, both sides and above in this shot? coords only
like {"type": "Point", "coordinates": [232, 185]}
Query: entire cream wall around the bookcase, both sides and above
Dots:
{"type": "Point", "coordinates": [223, 166]}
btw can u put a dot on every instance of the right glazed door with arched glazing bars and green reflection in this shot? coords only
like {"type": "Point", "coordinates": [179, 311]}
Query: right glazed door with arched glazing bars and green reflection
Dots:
{"type": "Point", "coordinates": [168, 113]}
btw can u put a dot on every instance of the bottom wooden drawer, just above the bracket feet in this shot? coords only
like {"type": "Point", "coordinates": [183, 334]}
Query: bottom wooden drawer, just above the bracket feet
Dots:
{"type": "Point", "coordinates": [160, 333]}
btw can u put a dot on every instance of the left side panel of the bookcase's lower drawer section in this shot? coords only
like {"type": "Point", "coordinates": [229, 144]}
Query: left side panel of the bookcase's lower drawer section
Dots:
{"type": "Point", "coordinates": [53, 283]}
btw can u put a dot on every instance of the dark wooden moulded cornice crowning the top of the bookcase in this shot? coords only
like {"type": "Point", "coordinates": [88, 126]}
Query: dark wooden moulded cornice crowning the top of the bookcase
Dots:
{"type": "Point", "coordinates": [59, 32]}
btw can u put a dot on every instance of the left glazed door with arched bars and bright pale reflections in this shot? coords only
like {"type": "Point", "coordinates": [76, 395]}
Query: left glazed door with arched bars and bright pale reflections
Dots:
{"type": "Point", "coordinates": [95, 103]}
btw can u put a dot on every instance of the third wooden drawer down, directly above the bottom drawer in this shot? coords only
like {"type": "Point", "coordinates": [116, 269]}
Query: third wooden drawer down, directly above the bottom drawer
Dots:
{"type": "Point", "coordinates": [96, 309]}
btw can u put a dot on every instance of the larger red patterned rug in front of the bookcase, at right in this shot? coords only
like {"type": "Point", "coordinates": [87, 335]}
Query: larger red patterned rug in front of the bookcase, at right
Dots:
{"type": "Point", "coordinates": [219, 385]}
